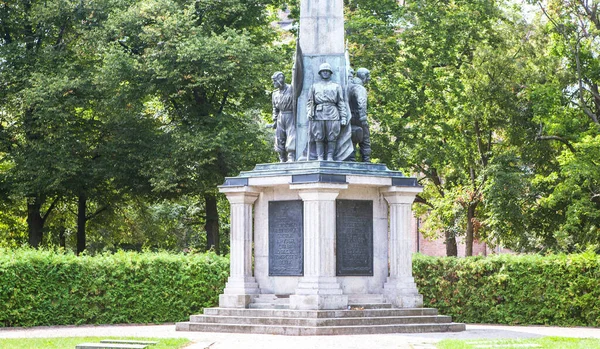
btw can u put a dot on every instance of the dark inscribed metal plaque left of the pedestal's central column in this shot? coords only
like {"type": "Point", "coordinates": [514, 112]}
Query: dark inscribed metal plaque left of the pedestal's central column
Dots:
{"type": "Point", "coordinates": [286, 238]}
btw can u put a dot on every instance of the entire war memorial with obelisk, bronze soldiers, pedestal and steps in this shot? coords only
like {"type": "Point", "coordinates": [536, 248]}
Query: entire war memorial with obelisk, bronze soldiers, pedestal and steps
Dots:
{"type": "Point", "coordinates": [320, 243]}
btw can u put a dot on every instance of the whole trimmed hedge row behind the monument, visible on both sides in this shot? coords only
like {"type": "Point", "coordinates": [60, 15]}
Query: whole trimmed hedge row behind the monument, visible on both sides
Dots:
{"type": "Point", "coordinates": [48, 288]}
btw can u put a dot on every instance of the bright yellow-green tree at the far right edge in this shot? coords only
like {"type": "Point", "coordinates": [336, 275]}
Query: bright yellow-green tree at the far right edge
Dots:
{"type": "Point", "coordinates": [566, 106]}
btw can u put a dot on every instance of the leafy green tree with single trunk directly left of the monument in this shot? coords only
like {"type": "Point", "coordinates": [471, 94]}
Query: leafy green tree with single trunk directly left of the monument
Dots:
{"type": "Point", "coordinates": [206, 63]}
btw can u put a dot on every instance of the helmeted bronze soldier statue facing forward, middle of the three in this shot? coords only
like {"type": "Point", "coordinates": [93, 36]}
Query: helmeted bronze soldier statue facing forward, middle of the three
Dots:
{"type": "Point", "coordinates": [326, 112]}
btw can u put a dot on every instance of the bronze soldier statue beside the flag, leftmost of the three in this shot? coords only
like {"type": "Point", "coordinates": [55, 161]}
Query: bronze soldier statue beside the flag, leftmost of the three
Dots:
{"type": "Point", "coordinates": [284, 121]}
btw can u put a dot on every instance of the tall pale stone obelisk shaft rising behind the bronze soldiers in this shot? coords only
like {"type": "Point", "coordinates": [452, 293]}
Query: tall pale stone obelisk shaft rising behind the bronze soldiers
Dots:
{"type": "Point", "coordinates": [321, 39]}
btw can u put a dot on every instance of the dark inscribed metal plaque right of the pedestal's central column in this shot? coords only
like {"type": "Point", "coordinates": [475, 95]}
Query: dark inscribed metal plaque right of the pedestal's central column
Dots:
{"type": "Point", "coordinates": [354, 238]}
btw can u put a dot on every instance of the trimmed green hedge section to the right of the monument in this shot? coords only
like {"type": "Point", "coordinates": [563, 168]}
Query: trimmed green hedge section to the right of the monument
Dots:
{"type": "Point", "coordinates": [560, 290]}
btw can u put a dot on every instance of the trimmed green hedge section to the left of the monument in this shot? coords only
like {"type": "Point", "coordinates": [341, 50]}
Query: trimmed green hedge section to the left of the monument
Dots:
{"type": "Point", "coordinates": [48, 288]}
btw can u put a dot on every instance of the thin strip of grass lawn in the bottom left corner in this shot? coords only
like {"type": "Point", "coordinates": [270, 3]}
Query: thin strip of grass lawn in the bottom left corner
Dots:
{"type": "Point", "coordinates": [71, 342]}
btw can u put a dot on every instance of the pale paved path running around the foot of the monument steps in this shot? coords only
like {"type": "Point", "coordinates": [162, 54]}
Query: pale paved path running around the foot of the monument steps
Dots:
{"type": "Point", "coordinates": [250, 341]}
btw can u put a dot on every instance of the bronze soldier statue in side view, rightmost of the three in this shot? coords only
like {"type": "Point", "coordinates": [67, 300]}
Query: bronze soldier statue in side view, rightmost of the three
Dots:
{"type": "Point", "coordinates": [357, 96]}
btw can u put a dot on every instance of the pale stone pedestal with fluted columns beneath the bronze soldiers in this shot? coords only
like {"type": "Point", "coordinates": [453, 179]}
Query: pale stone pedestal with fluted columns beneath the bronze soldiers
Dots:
{"type": "Point", "coordinates": [321, 187]}
